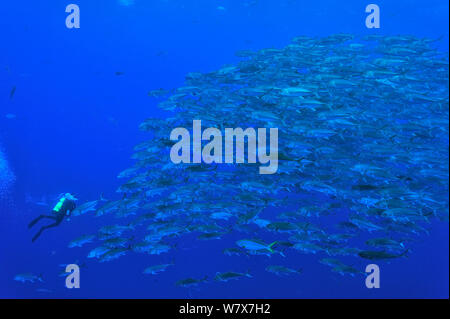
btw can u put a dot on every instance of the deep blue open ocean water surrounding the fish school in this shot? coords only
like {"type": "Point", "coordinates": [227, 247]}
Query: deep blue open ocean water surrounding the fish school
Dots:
{"type": "Point", "coordinates": [75, 123]}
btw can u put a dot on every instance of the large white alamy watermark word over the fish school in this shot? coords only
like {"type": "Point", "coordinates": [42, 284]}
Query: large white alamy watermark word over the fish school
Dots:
{"type": "Point", "coordinates": [212, 152]}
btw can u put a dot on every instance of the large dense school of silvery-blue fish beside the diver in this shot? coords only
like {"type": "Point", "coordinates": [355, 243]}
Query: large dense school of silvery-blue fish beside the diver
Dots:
{"type": "Point", "coordinates": [363, 139]}
